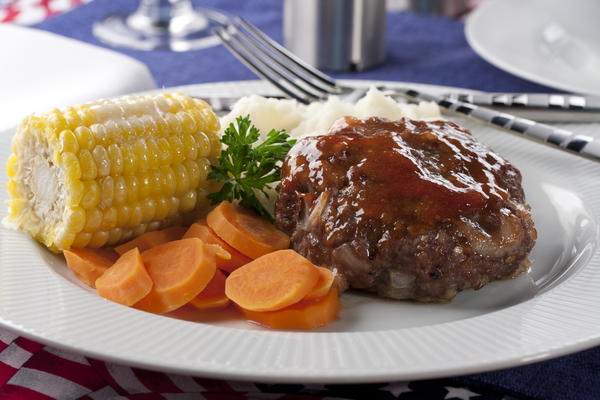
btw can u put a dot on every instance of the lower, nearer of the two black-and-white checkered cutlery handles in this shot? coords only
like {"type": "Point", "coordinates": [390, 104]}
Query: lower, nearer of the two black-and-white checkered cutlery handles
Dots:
{"type": "Point", "coordinates": [562, 139]}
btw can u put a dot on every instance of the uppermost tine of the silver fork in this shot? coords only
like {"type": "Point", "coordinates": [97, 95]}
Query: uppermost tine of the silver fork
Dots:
{"type": "Point", "coordinates": [292, 69]}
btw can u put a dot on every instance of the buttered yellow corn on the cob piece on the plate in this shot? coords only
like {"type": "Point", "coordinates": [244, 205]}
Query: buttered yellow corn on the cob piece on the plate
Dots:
{"type": "Point", "coordinates": [106, 171]}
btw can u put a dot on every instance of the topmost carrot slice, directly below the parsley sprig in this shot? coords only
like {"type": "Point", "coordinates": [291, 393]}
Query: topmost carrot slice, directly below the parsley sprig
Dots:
{"type": "Point", "coordinates": [246, 231]}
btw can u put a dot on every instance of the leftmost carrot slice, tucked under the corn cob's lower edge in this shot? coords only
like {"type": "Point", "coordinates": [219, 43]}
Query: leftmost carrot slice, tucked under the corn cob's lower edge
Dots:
{"type": "Point", "coordinates": [90, 264]}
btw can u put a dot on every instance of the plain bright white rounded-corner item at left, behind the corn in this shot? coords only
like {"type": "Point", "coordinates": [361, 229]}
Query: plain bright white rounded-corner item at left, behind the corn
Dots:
{"type": "Point", "coordinates": [41, 70]}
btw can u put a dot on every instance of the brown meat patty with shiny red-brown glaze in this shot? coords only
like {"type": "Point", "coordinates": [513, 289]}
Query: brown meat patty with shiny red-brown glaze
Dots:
{"type": "Point", "coordinates": [405, 209]}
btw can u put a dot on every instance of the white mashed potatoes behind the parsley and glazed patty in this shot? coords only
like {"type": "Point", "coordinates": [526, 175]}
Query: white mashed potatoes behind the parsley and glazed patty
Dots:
{"type": "Point", "coordinates": [300, 120]}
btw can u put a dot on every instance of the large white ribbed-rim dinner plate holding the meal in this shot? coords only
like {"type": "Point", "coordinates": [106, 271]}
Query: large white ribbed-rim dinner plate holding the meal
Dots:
{"type": "Point", "coordinates": [550, 311]}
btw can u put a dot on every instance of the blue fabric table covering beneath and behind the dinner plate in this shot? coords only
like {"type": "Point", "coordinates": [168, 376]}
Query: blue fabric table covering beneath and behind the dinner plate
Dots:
{"type": "Point", "coordinates": [423, 49]}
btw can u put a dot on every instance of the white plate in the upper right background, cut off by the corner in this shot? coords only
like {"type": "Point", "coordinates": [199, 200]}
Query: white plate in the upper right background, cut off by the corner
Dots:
{"type": "Point", "coordinates": [552, 42]}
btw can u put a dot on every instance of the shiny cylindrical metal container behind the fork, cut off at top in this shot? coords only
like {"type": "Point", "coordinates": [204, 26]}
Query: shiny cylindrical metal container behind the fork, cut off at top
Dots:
{"type": "Point", "coordinates": [336, 35]}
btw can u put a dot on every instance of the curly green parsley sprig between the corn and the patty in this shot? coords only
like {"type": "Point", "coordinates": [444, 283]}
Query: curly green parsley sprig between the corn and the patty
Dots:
{"type": "Point", "coordinates": [246, 170]}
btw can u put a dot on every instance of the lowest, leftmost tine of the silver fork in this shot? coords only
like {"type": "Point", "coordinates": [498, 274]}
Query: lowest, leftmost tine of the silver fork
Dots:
{"type": "Point", "coordinates": [260, 68]}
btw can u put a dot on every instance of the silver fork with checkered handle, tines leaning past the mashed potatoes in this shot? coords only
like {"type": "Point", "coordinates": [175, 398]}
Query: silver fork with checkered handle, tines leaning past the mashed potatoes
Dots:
{"type": "Point", "coordinates": [300, 81]}
